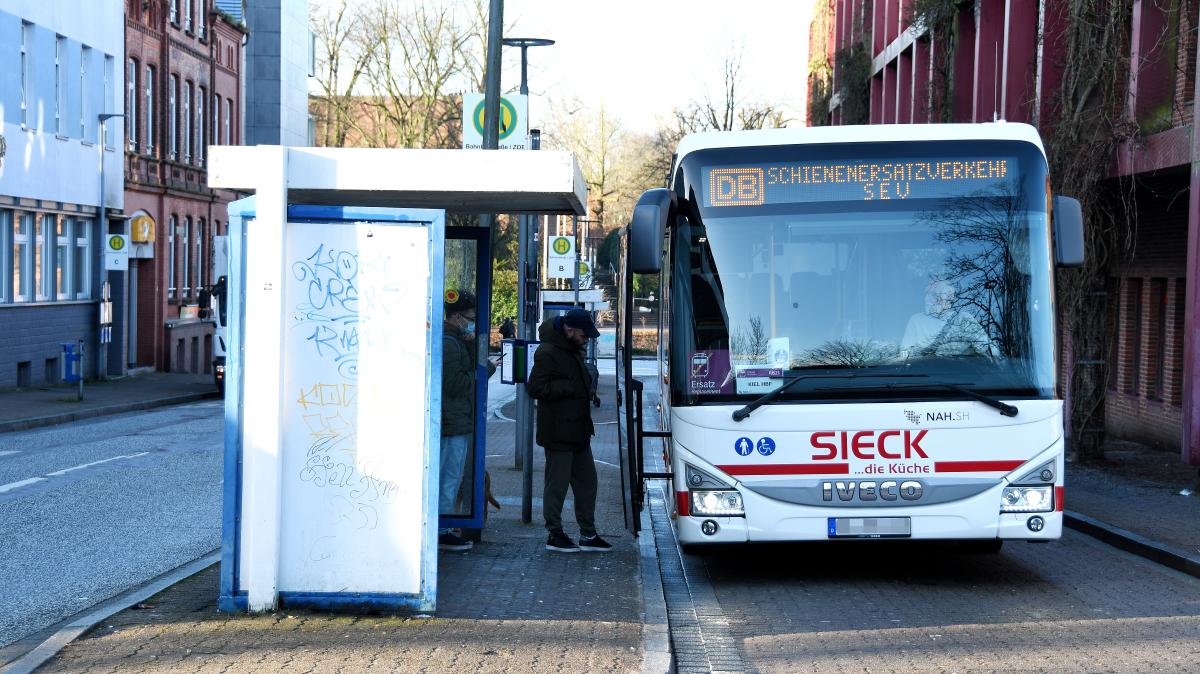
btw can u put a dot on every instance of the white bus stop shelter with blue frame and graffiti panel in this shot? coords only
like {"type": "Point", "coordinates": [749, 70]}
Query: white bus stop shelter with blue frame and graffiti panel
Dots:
{"type": "Point", "coordinates": [334, 396]}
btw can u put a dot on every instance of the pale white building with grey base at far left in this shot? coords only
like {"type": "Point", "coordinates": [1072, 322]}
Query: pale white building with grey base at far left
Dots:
{"type": "Point", "coordinates": [61, 70]}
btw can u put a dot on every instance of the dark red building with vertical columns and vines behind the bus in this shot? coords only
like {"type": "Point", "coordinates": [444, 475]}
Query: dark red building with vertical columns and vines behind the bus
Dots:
{"type": "Point", "coordinates": [1001, 59]}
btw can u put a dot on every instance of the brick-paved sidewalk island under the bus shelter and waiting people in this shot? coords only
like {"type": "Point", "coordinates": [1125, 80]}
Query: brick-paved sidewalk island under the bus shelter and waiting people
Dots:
{"type": "Point", "coordinates": [507, 606]}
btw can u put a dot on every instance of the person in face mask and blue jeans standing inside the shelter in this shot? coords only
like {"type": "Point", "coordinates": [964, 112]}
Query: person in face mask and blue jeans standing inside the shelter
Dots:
{"type": "Point", "coordinates": [458, 405]}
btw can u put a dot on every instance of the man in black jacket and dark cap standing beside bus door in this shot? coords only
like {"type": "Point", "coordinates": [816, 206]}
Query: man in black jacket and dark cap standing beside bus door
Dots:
{"type": "Point", "coordinates": [561, 384]}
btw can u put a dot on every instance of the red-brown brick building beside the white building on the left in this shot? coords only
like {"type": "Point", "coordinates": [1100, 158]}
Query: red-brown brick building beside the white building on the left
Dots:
{"type": "Point", "coordinates": [184, 87]}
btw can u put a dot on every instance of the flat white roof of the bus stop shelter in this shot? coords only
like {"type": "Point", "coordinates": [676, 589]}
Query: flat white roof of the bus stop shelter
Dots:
{"type": "Point", "coordinates": [473, 182]}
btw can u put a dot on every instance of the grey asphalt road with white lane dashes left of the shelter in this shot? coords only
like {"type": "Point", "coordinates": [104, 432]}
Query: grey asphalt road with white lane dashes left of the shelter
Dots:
{"type": "Point", "coordinates": [92, 509]}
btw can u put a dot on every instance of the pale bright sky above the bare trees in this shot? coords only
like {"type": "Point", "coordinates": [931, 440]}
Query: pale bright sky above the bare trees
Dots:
{"type": "Point", "coordinates": [643, 58]}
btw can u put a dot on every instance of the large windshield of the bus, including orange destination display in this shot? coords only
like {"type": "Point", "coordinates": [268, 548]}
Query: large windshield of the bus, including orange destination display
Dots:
{"type": "Point", "coordinates": [928, 260]}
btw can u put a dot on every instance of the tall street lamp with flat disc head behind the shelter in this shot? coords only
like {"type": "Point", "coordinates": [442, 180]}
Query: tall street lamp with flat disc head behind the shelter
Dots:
{"type": "Point", "coordinates": [523, 454]}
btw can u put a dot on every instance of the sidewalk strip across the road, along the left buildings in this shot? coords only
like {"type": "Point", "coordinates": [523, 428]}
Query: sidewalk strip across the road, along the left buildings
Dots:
{"type": "Point", "coordinates": [47, 406]}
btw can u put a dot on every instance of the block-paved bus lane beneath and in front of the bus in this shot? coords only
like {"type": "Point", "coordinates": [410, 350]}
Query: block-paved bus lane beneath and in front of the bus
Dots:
{"type": "Point", "coordinates": [1072, 606]}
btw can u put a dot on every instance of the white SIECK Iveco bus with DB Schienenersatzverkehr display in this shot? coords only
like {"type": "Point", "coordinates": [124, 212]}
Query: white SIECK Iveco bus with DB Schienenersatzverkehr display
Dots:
{"type": "Point", "coordinates": [857, 335]}
